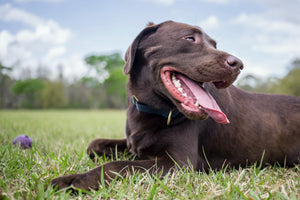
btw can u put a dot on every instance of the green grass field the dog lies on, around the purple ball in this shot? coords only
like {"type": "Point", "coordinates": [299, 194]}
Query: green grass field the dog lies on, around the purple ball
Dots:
{"type": "Point", "coordinates": [60, 139]}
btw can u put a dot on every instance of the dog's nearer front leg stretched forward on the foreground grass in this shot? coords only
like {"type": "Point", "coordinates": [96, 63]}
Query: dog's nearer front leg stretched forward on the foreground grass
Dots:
{"type": "Point", "coordinates": [109, 171]}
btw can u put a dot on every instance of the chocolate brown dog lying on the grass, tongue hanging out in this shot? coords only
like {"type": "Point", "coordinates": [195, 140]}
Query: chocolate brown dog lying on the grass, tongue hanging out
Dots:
{"type": "Point", "coordinates": [182, 108]}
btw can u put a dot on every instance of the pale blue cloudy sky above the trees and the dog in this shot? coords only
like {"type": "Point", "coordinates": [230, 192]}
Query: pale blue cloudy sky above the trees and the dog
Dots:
{"type": "Point", "coordinates": [265, 34]}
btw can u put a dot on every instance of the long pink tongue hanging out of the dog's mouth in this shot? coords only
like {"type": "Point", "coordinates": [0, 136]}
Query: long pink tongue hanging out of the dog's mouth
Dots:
{"type": "Point", "coordinates": [206, 101]}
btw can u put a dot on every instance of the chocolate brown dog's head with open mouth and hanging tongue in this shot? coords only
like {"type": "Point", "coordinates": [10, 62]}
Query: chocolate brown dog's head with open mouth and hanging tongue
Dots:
{"type": "Point", "coordinates": [174, 60]}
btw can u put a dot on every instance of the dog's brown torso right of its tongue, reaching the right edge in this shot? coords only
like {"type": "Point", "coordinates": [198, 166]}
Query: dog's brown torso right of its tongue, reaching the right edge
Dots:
{"type": "Point", "coordinates": [262, 126]}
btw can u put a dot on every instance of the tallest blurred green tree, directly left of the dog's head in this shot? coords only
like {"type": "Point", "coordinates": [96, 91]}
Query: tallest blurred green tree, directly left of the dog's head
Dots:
{"type": "Point", "coordinates": [106, 75]}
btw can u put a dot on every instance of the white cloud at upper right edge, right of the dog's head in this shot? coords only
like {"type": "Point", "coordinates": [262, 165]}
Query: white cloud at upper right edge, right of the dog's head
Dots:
{"type": "Point", "coordinates": [268, 35]}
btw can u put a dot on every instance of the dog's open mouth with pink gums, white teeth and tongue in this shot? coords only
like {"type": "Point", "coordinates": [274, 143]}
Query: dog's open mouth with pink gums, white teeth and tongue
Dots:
{"type": "Point", "coordinates": [195, 102]}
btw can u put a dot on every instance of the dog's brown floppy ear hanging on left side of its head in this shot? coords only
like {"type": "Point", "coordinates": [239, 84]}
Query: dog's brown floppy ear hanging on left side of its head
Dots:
{"type": "Point", "coordinates": [131, 51]}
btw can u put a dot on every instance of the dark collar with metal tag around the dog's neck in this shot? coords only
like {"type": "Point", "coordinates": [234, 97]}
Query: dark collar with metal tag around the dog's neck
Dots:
{"type": "Point", "coordinates": [172, 116]}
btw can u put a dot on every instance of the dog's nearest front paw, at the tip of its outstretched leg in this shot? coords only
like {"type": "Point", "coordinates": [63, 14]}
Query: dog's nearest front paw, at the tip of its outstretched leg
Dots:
{"type": "Point", "coordinates": [75, 181]}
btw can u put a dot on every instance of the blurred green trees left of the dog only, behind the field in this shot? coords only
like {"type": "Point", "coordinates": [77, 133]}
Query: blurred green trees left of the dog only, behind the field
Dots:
{"type": "Point", "coordinates": [102, 87]}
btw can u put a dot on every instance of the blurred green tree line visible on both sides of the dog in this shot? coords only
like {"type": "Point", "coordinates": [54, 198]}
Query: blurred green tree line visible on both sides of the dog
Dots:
{"type": "Point", "coordinates": [104, 86]}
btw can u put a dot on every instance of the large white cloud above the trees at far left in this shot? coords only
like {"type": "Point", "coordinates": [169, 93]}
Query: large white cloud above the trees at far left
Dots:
{"type": "Point", "coordinates": [42, 42]}
